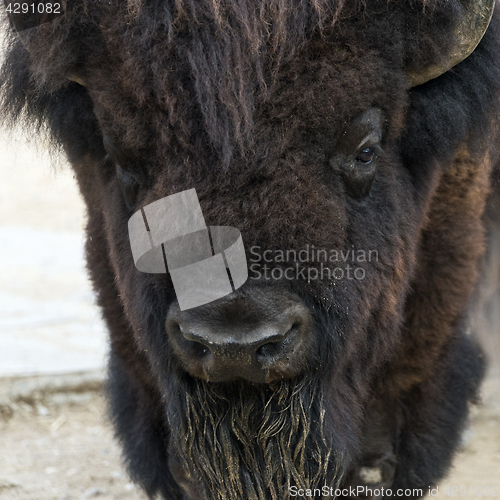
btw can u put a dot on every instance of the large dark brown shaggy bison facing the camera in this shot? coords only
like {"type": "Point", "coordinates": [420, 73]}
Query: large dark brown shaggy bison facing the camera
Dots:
{"type": "Point", "coordinates": [360, 133]}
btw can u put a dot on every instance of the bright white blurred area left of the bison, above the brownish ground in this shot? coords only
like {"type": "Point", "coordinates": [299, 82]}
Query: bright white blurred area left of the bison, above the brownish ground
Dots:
{"type": "Point", "coordinates": [48, 320]}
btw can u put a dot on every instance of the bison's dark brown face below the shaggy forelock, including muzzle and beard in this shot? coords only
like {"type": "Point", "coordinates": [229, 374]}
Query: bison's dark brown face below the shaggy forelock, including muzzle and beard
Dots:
{"type": "Point", "coordinates": [263, 387]}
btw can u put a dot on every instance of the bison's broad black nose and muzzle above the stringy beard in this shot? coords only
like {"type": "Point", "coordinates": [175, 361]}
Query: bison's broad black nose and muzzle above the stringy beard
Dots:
{"type": "Point", "coordinates": [260, 337]}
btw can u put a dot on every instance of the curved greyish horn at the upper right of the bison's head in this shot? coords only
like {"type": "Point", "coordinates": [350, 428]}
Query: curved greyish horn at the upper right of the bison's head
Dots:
{"type": "Point", "coordinates": [467, 31]}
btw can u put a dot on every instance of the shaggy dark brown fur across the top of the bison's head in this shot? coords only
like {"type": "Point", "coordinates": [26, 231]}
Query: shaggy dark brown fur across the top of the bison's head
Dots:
{"type": "Point", "coordinates": [207, 67]}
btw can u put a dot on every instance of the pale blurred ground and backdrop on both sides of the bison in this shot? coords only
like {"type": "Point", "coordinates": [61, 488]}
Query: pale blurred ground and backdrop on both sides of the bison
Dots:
{"type": "Point", "coordinates": [55, 441]}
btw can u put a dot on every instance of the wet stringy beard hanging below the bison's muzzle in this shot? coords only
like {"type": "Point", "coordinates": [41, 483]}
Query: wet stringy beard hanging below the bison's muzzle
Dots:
{"type": "Point", "coordinates": [251, 442]}
